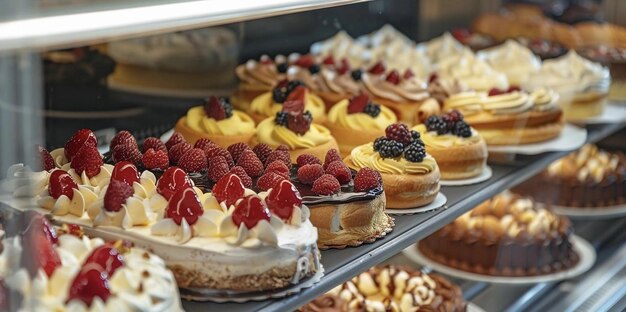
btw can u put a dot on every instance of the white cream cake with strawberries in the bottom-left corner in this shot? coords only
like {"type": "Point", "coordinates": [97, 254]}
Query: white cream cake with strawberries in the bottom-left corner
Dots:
{"type": "Point", "coordinates": [65, 270]}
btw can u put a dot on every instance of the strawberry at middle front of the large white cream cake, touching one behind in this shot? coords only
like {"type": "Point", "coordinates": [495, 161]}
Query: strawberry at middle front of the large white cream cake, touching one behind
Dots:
{"type": "Point", "coordinates": [184, 204]}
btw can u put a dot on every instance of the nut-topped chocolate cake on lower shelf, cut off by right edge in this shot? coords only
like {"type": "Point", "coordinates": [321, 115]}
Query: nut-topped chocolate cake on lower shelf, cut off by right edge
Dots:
{"type": "Point", "coordinates": [587, 178]}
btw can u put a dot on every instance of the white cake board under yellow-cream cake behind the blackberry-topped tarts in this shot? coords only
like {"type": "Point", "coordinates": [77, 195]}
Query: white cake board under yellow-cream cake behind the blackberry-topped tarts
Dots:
{"type": "Point", "coordinates": [571, 138]}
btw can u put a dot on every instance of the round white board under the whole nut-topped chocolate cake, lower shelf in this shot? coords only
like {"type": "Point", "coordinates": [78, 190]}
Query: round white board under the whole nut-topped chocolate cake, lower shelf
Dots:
{"type": "Point", "coordinates": [586, 253]}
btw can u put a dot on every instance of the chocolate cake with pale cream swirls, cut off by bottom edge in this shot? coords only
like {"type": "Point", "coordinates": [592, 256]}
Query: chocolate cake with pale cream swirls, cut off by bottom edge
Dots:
{"type": "Point", "coordinates": [392, 288]}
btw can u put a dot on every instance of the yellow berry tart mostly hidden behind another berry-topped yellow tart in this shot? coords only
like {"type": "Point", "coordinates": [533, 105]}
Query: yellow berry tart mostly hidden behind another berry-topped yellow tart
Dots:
{"type": "Point", "coordinates": [269, 103]}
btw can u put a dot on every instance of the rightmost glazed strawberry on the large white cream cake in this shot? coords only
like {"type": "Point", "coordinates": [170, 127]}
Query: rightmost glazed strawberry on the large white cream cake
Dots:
{"type": "Point", "coordinates": [282, 199]}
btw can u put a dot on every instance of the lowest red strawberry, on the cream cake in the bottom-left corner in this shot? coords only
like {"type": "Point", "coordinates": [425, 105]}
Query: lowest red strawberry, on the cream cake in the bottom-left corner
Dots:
{"type": "Point", "coordinates": [91, 282]}
